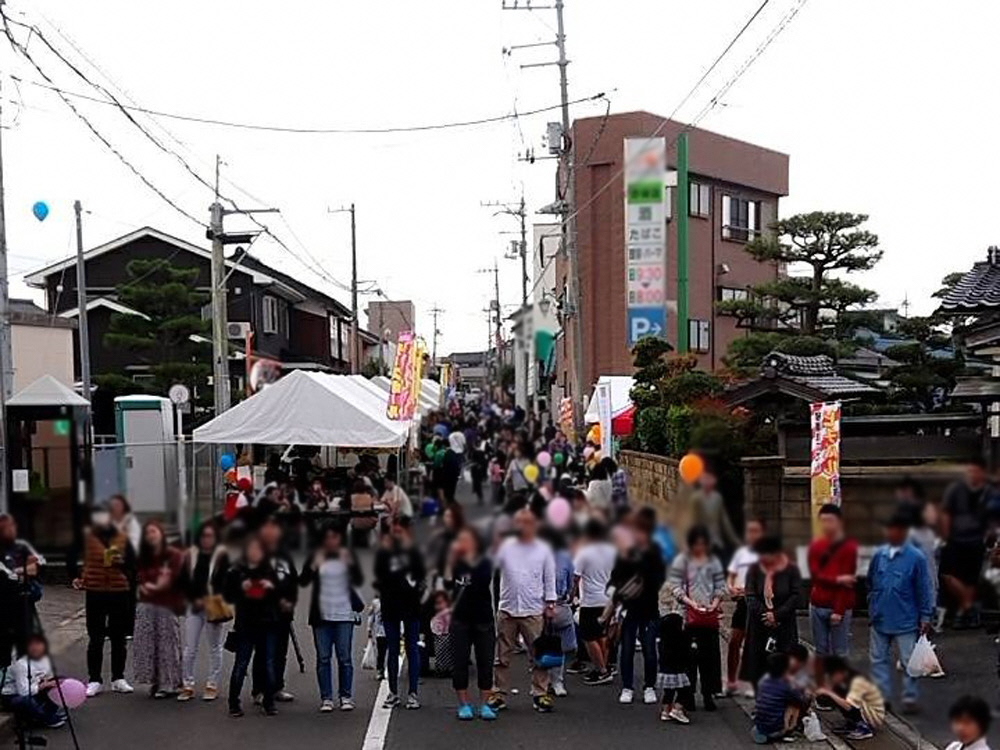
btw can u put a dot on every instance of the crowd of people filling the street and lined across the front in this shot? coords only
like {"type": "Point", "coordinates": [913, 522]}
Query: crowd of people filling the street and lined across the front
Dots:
{"type": "Point", "coordinates": [563, 565]}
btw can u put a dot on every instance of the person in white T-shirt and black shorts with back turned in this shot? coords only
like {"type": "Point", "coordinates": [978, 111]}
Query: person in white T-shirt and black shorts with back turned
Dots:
{"type": "Point", "coordinates": [593, 564]}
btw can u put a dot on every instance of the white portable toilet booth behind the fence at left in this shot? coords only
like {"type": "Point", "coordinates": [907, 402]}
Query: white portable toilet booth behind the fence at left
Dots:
{"type": "Point", "coordinates": [147, 454]}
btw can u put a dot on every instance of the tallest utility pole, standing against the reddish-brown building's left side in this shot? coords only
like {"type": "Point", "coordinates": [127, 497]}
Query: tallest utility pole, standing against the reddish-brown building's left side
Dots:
{"type": "Point", "coordinates": [567, 201]}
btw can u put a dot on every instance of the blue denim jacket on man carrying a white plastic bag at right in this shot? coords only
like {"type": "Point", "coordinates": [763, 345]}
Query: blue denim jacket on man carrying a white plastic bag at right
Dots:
{"type": "Point", "coordinates": [900, 593]}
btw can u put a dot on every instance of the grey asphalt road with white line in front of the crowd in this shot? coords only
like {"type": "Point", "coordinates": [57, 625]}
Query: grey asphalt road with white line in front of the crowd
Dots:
{"type": "Point", "coordinates": [589, 717]}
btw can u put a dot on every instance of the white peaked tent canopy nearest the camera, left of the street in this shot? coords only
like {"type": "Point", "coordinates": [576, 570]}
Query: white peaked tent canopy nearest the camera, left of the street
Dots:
{"type": "Point", "coordinates": [308, 408]}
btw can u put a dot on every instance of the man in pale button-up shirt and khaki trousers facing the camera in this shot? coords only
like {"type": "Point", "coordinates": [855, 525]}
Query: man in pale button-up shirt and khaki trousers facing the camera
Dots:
{"type": "Point", "coordinates": [527, 598]}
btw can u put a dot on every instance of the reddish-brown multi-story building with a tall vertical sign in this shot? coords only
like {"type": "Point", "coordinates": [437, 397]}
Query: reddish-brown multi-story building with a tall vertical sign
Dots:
{"type": "Point", "coordinates": [734, 192]}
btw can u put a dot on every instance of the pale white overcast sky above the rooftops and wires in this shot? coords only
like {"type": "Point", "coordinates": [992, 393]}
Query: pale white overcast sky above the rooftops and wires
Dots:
{"type": "Point", "coordinates": [886, 107]}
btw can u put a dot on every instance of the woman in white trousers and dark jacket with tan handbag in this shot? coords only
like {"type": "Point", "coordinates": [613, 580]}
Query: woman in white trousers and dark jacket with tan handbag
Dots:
{"type": "Point", "coordinates": [203, 576]}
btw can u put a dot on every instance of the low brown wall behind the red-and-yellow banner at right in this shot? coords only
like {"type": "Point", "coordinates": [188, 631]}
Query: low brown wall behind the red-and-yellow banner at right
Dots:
{"type": "Point", "coordinates": [781, 495]}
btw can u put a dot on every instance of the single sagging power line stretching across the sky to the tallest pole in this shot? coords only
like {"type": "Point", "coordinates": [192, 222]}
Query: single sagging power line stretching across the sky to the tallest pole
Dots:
{"type": "Point", "coordinates": [50, 85]}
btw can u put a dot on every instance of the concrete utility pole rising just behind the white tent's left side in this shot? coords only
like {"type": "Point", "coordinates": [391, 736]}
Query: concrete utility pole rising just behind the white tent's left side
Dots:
{"type": "Point", "coordinates": [220, 317]}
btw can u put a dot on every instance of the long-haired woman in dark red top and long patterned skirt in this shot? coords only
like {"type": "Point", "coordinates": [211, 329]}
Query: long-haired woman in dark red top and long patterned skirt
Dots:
{"type": "Point", "coordinates": [157, 646]}
